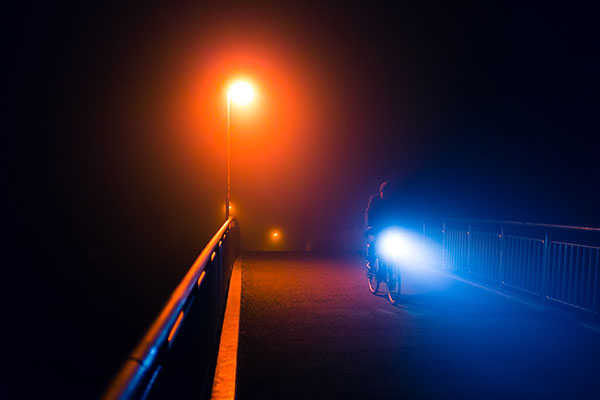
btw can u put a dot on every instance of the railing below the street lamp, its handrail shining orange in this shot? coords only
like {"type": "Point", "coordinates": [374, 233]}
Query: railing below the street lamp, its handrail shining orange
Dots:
{"type": "Point", "coordinates": [176, 356]}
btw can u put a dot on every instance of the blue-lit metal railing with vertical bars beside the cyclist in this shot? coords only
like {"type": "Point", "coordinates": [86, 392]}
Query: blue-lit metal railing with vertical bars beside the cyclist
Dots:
{"type": "Point", "coordinates": [554, 263]}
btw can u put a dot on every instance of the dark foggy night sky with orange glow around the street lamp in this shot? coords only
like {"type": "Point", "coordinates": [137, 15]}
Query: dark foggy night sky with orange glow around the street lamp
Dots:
{"type": "Point", "coordinates": [474, 110]}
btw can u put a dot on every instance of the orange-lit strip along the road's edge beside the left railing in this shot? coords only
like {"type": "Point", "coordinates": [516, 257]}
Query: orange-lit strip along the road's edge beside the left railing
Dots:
{"type": "Point", "coordinates": [225, 373]}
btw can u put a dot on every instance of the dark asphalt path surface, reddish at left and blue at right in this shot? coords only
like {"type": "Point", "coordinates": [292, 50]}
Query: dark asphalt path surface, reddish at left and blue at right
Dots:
{"type": "Point", "coordinates": [309, 328]}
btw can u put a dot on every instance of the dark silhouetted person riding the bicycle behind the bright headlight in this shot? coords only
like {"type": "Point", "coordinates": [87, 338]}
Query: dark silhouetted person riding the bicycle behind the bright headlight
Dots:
{"type": "Point", "coordinates": [381, 213]}
